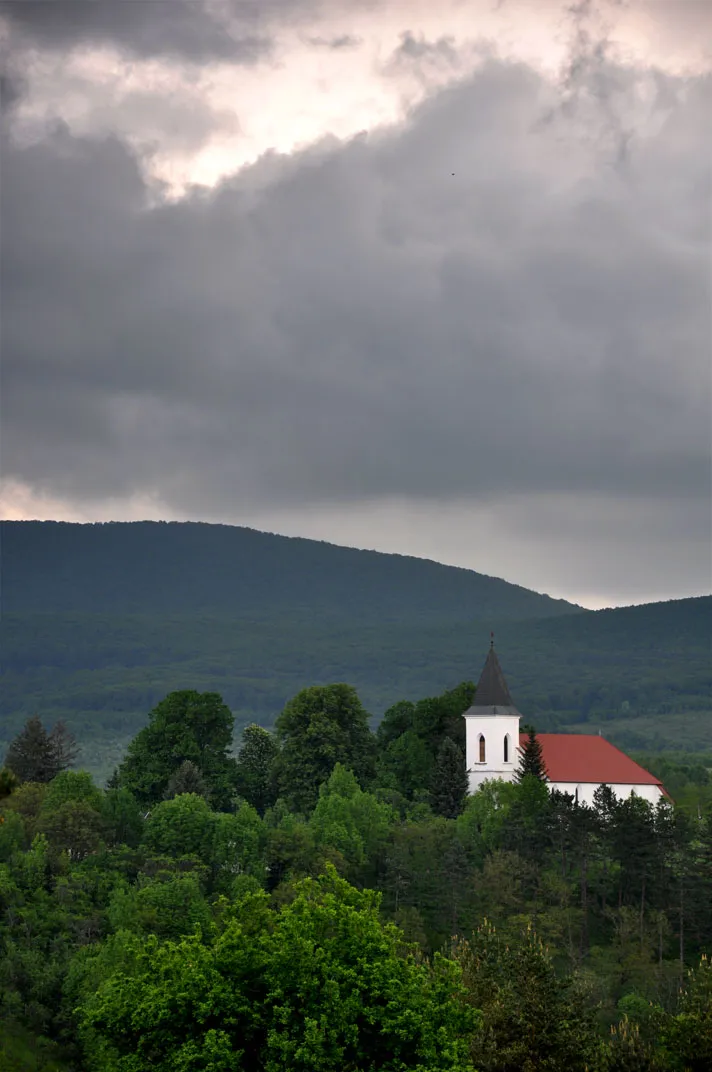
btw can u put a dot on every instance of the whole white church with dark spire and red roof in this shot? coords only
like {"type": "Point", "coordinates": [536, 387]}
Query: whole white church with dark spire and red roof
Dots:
{"type": "Point", "coordinates": [575, 764]}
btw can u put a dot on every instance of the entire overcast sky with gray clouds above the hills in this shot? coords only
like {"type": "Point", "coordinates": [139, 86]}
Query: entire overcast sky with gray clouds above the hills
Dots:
{"type": "Point", "coordinates": [424, 278]}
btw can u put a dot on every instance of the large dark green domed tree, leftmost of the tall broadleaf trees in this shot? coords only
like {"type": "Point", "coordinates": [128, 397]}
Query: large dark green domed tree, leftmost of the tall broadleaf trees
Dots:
{"type": "Point", "coordinates": [186, 726]}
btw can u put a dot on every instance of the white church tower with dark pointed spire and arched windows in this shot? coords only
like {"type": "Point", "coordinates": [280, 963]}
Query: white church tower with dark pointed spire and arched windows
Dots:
{"type": "Point", "coordinates": [492, 728]}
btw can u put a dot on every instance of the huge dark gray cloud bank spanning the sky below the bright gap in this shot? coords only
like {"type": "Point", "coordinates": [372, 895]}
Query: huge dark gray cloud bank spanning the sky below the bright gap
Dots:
{"type": "Point", "coordinates": [357, 322]}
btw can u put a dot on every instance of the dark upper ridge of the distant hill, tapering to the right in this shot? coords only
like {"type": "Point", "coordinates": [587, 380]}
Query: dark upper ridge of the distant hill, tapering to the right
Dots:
{"type": "Point", "coordinates": [153, 568]}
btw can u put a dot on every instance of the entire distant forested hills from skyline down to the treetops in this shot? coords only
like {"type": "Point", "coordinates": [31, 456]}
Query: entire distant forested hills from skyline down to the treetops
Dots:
{"type": "Point", "coordinates": [98, 626]}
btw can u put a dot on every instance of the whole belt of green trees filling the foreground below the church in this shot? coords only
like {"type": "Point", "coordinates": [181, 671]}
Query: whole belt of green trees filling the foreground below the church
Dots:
{"type": "Point", "coordinates": [332, 900]}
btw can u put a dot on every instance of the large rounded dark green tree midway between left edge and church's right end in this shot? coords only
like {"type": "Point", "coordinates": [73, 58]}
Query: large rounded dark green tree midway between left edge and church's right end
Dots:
{"type": "Point", "coordinates": [321, 727]}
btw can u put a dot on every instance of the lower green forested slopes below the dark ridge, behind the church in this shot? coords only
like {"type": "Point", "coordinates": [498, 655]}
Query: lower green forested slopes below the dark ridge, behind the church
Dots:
{"type": "Point", "coordinates": [644, 674]}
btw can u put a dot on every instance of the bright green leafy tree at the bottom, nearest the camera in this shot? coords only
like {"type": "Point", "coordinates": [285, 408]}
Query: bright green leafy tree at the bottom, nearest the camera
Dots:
{"type": "Point", "coordinates": [320, 986]}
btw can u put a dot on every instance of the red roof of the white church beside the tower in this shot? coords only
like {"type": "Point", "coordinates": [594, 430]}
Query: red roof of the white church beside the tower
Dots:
{"type": "Point", "coordinates": [575, 757]}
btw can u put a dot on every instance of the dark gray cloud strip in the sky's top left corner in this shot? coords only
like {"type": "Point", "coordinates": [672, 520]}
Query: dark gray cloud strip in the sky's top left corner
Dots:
{"type": "Point", "coordinates": [189, 29]}
